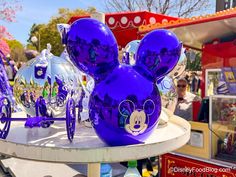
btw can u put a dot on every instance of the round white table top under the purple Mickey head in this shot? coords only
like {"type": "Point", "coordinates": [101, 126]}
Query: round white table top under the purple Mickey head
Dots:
{"type": "Point", "coordinates": [51, 144]}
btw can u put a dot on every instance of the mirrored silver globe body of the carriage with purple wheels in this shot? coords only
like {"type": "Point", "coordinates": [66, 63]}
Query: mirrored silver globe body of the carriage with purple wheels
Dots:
{"type": "Point", "coordinates": [53, 78]}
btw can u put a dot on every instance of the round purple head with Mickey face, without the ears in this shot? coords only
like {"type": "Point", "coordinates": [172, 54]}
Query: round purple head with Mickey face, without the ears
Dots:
{"type": "Point", "coordinates": [124, 108]}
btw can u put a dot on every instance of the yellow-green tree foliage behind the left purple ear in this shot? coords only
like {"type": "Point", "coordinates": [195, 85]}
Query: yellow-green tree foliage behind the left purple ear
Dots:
{"type": "Point", "coordinates": [47, 33]}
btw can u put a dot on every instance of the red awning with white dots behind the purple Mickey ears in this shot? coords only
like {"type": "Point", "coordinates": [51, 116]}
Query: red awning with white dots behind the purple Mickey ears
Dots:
{"type": "Point", "coordinates": [125, 25]}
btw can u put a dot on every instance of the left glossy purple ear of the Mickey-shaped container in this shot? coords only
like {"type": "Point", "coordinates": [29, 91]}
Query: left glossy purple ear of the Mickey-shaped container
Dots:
{"type": "Point", "coordinates": [92, 47]}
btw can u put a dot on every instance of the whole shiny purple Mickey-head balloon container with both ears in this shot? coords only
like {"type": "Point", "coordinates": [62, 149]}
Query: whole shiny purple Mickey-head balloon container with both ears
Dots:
{"type": "Point", "coordinates": [125, 104]}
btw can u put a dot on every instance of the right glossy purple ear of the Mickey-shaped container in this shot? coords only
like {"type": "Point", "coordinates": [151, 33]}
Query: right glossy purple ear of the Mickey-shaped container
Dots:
{"type": "Point", "coordinates": [158, 53]}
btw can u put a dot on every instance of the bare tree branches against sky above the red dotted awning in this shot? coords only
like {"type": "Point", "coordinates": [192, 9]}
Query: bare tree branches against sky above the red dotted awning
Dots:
{"type": "Point", "coordinates": [179, 8]}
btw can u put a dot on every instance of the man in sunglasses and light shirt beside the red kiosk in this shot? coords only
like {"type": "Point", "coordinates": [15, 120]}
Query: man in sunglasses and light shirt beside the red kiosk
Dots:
{"type": "Point", "coordinates": [185, 99]}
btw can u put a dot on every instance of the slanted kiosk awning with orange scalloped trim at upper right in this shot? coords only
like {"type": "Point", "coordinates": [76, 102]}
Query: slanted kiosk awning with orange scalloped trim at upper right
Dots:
{"type": "Point", "coordinates": [196, 31]}
